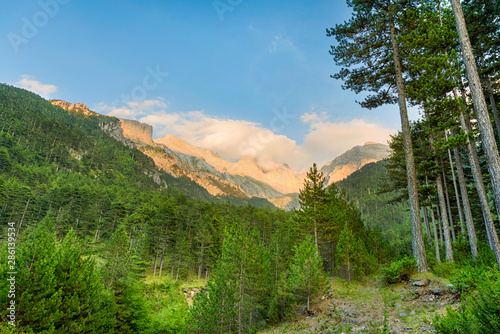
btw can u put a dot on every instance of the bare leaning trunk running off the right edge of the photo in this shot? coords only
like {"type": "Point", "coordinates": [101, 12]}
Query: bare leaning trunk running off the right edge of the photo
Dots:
{"type": "Point", "coordinates": [483, 118]}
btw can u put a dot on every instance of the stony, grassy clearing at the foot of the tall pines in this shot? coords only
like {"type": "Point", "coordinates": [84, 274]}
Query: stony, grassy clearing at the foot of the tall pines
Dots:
{"type": "Point", "coordinates": [362, 307]}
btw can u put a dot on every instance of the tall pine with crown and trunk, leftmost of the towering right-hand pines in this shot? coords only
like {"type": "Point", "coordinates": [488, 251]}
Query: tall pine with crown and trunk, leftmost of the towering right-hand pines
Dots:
{"type": "Point", "coordinates": [369, 52]}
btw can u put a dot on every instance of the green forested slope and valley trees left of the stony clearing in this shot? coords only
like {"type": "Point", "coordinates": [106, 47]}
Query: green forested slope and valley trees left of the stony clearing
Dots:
{"type": "Point", "coordinates": [104, 240]}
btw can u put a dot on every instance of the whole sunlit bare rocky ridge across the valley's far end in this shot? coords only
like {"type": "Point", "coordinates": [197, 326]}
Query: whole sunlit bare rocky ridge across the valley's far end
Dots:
{"type": "Point", "coordinates": [244, 179]}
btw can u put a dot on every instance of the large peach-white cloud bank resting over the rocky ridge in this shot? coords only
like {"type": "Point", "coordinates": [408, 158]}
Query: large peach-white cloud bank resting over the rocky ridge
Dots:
{"type": "Point", "coordinates": [235, 139]}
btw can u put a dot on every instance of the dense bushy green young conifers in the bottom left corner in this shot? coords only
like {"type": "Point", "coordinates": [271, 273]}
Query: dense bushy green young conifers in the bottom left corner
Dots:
{"type": "Point", "coordinates": [58, 289]}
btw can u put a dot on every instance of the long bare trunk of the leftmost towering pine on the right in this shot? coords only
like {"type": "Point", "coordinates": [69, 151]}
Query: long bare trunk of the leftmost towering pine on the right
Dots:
{"type": "Point", "coordinates": [416, 223]}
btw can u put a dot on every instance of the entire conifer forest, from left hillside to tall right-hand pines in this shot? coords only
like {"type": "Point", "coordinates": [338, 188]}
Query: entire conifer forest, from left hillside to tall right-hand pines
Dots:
{"type": "Point", "coordinates": [96, 238]}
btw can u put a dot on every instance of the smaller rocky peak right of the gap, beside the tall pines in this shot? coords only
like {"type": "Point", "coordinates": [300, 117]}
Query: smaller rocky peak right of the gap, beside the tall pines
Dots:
{"type": "Point", "coordinates": [352, 160]}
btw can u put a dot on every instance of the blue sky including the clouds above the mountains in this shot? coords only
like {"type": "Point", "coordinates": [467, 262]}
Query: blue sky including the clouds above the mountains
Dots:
{"type": "Point", "coordinates": [236, 76]}
